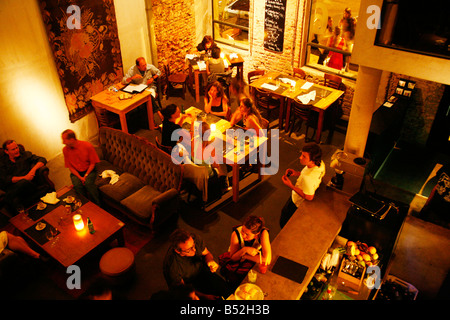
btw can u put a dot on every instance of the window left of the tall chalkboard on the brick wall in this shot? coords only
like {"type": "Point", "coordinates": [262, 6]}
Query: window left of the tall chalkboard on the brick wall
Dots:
{"type": "Point", "coordinates": [230, 22]}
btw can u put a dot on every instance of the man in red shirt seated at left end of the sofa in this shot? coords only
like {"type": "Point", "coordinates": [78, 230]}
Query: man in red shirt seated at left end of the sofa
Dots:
{"type": "Point", "coordinates": [80, 157]}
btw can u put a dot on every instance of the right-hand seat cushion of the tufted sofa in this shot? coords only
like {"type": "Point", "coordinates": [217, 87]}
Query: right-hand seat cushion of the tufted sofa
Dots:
{"type": "Point", "coordinates": [140, 203]}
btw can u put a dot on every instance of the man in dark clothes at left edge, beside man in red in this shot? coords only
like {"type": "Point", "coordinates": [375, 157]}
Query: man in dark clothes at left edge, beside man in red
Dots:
{"type": "Point", "coordinates": [18, 175]}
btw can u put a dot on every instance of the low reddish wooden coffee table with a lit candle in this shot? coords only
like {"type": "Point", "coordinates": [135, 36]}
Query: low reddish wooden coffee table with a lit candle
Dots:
{"type": "Point", "coordinates": [71, 245]}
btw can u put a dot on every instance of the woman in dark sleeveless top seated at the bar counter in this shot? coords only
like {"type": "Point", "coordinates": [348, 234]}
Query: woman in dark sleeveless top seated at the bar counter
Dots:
{"type": "Point", "coordinates": [249, 244]}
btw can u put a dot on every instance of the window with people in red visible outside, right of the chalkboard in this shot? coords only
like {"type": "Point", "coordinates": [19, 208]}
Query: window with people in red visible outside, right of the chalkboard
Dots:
{"type": "Point", "coordinates": [332, 28]}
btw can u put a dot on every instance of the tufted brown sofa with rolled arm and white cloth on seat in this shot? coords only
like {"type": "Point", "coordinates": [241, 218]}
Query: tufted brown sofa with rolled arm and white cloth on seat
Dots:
{"type": "Point", "coordinates": [149, 182]}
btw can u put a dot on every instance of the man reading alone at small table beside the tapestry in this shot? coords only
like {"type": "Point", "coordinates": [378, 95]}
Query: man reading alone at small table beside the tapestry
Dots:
{"type": "Point", "coordinates": [144, 73]}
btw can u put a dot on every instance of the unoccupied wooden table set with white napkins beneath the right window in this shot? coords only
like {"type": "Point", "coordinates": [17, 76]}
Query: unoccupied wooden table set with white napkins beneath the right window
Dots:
{"type": "Point", "coordinates": [320, 104]}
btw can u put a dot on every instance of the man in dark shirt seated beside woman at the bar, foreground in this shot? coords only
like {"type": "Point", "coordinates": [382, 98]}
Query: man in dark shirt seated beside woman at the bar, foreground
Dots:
{"type": "Point", "coordinates": [188, 261]}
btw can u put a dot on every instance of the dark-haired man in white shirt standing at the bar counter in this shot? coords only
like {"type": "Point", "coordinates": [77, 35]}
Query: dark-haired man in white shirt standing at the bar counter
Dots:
{"type": "Point", "coordinates": [308, 180]}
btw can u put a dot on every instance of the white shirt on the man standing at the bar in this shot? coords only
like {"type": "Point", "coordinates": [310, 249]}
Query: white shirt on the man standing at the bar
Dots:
{"type": "Point", "coordinates": [309, 180]}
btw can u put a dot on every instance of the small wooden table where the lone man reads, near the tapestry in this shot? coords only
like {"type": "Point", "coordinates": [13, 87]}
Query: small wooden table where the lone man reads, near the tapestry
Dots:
{"type": "Point", "coordinates": [110, 101]}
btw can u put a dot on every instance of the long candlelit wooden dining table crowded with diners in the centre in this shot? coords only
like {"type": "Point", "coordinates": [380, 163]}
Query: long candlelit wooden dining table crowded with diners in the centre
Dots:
{"type": "Point", "coordinates": [234, 157]}
